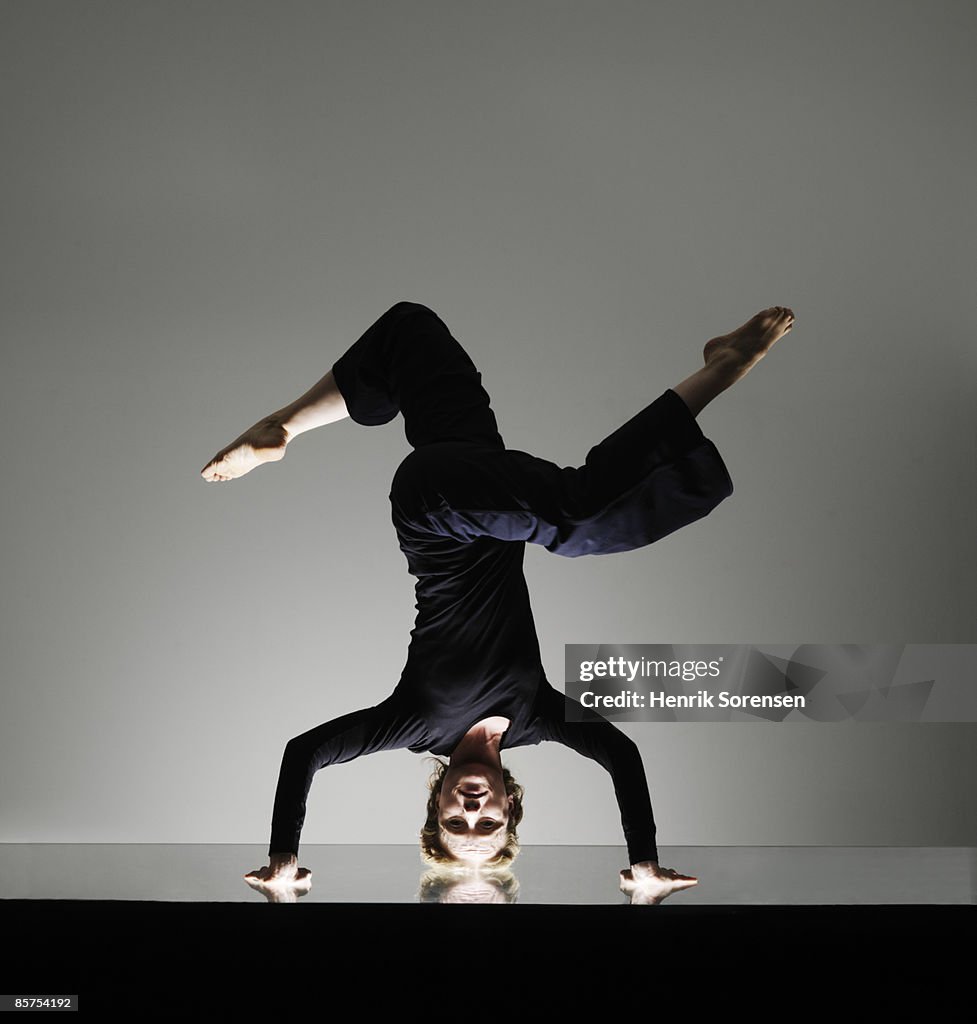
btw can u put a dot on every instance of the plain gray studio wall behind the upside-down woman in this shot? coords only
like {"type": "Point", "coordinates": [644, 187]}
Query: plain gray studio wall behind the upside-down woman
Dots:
{"type": "Point", "coordinates": [205, 203]}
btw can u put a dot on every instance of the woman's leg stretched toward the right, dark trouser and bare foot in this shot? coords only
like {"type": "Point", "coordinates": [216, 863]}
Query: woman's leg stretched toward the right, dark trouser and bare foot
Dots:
{"type": "Point", "coordinates": [654, 476]}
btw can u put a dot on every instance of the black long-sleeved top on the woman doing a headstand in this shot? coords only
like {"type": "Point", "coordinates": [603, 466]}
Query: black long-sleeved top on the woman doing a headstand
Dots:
{"type": "Point", "coordinates": [493, 669]}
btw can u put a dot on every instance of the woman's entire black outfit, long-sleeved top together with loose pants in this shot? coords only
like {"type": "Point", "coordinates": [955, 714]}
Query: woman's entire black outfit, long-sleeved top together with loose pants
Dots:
{"type": "Point", "coordinates": [464, 506]}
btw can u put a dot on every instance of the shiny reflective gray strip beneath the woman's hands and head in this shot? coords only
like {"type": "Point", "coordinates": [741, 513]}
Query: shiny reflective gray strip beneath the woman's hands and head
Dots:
{"type": "Point", "coordinates": [729, 876]}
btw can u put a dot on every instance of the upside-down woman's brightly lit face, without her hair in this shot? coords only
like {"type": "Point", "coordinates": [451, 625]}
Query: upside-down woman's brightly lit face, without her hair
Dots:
{"type": "Point", "coordinates": [474, 813]}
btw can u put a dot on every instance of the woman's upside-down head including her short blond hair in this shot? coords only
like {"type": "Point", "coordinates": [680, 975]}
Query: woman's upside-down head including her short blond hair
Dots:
{"type": "Point", "coordinates": [473, 815]}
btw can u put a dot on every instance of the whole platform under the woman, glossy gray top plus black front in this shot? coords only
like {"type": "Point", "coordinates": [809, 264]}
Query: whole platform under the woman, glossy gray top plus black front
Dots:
{"type": "Point", "coordinates": [174, 931]}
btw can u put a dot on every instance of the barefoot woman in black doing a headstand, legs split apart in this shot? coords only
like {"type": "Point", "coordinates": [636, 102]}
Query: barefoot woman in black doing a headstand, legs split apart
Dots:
{"type": "Point", "coordinates": [464, 506]}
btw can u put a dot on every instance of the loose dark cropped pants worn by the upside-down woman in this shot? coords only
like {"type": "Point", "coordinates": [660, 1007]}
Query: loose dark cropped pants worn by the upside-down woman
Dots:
{"type": "Point", "coordinates": [653, 476]}
